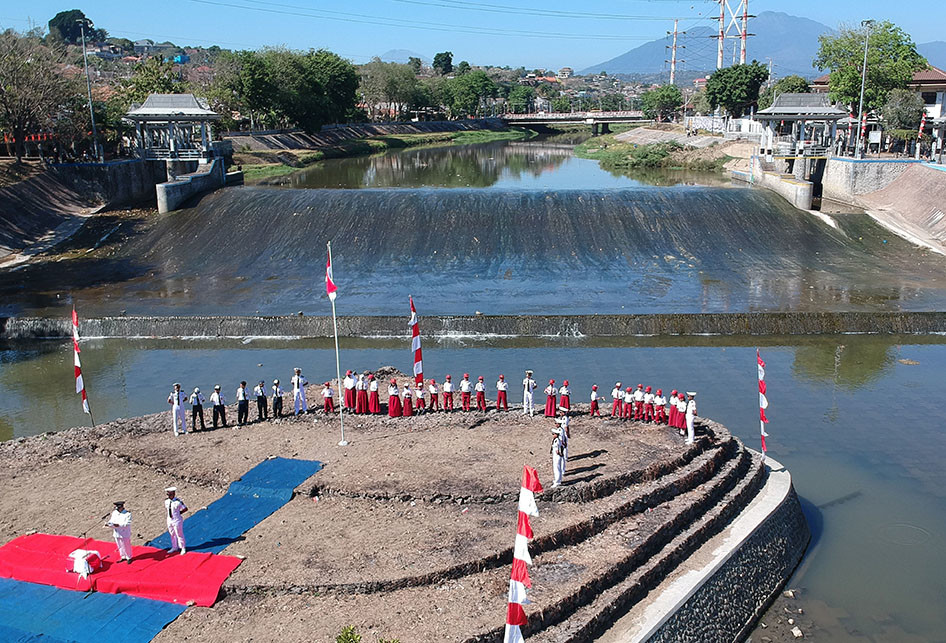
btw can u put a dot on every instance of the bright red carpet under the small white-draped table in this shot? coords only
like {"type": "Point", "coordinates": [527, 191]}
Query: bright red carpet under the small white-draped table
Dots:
{"type": "Point", "coordinates": [154, 574]}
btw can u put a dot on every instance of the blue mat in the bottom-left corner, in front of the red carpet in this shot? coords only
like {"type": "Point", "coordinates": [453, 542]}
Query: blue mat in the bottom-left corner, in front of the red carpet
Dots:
{"type": "Point", "coordinates": [31, 612]}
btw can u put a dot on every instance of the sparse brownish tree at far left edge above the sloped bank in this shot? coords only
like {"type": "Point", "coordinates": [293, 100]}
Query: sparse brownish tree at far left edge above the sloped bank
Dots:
{"type": "Point", "coordinates": [34, 95]}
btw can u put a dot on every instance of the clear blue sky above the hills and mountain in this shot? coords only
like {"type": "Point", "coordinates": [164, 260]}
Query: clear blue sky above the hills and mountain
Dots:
{"type": "Point", "coordinates": [551, 33]}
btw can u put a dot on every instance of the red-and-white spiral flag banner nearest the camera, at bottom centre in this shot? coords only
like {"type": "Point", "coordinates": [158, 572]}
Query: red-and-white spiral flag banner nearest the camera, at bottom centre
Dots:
{"type": "Point", "coordinates": [519, 580]}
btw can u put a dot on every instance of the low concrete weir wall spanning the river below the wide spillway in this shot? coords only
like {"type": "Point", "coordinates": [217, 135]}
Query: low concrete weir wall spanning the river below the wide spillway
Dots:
{"type": "Point", "coordinates": [777, 323]}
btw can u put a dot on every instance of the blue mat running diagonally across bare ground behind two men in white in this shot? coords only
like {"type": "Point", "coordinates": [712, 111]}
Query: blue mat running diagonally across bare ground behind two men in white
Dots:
{"type": "Point", "coordinates": [260, 492]}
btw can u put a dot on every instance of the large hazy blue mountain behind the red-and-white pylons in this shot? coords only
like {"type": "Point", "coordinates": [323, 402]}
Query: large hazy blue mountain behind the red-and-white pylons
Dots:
{"type": "Point", "coordinates": [790, 41]}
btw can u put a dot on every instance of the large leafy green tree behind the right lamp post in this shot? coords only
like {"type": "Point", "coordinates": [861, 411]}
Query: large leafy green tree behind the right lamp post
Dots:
{"type": "Point", "coordinates": [892, 60]}
